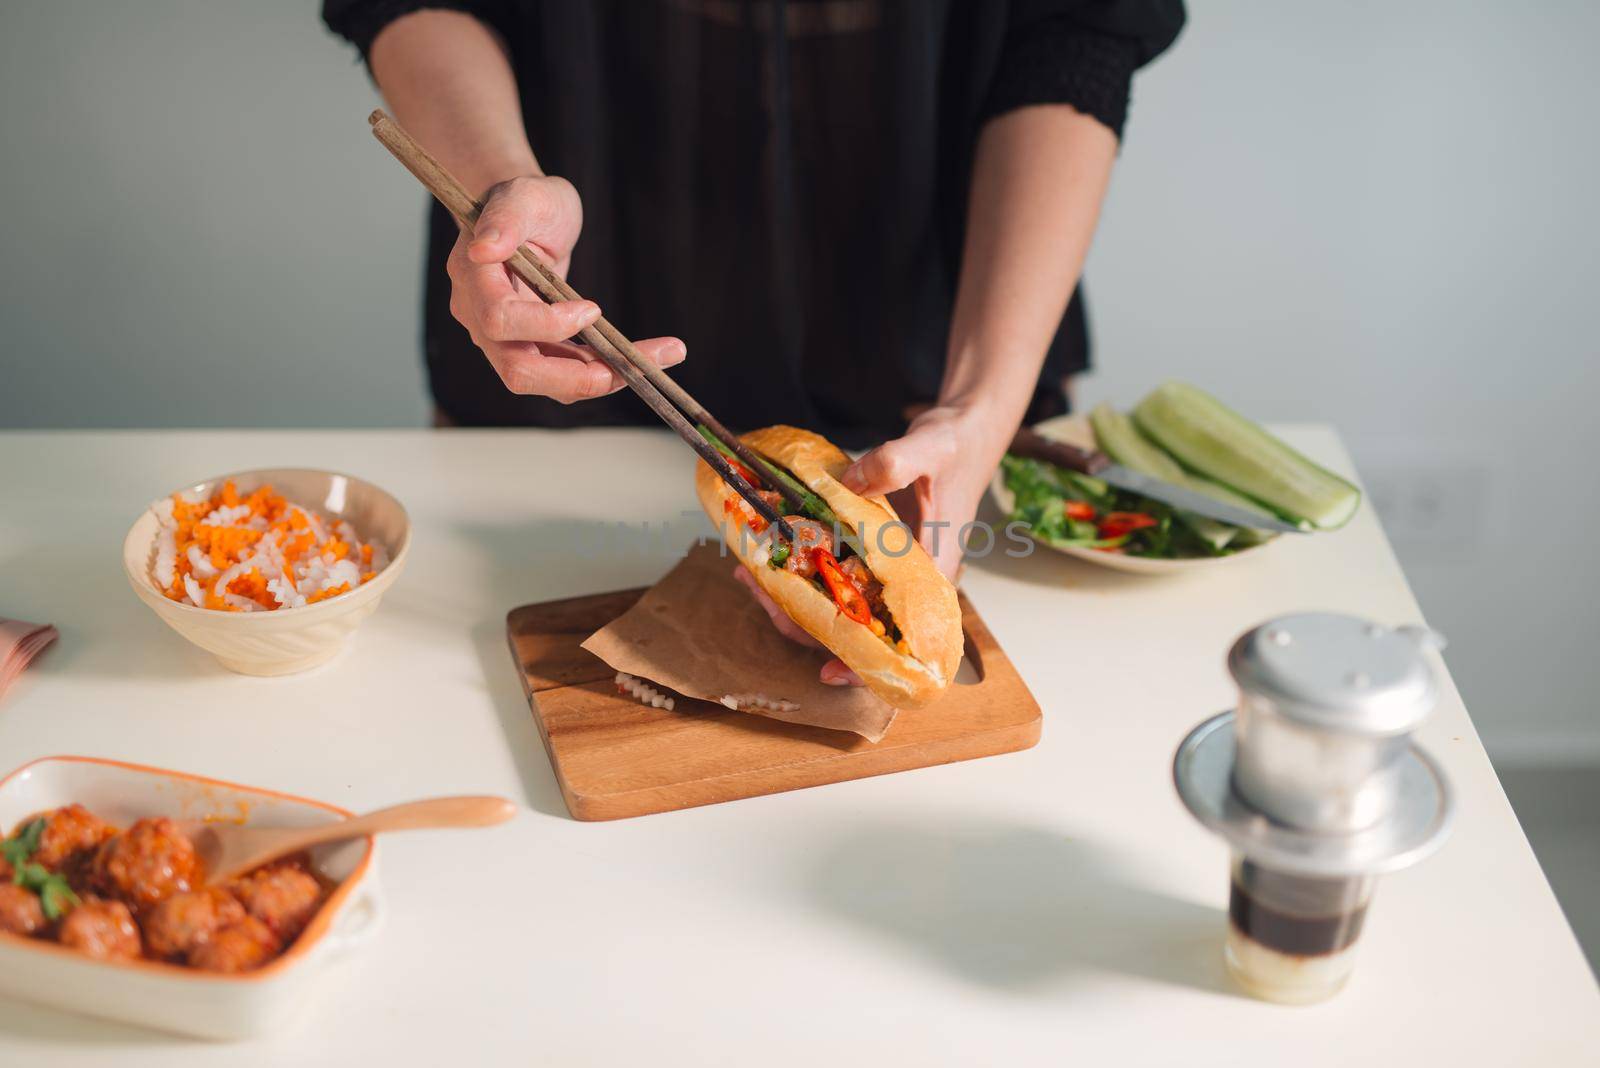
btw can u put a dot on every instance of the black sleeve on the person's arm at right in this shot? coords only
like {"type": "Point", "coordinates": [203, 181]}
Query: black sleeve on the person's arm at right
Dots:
{"type": "Point", "coordinates": [1081, 54]}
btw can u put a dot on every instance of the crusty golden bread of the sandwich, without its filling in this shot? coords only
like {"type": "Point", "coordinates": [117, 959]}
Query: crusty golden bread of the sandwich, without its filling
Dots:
{"type": "Point", "coordinates": [921, 600]}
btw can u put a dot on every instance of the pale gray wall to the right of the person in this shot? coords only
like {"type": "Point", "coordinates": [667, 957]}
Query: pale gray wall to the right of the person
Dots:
{"type": "Point", "coordinates": [1382, 215]}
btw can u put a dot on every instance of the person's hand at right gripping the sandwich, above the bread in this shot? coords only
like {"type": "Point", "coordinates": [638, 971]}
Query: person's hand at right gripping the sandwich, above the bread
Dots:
{"type": "Point", "coordinates": [945, 464]}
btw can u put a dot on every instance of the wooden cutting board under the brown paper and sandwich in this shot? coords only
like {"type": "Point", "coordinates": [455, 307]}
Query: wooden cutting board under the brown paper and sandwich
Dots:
{"type": "Point", "coordinates": [617, 759]}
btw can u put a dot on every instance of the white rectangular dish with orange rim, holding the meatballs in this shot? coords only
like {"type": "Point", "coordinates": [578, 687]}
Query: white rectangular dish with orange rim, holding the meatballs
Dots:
{"type": "Point", "coordinates": [167, 997]}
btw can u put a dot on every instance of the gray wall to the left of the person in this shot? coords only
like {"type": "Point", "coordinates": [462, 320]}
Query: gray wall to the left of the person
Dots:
{"type": "Point", "coordinates": [198, 228]}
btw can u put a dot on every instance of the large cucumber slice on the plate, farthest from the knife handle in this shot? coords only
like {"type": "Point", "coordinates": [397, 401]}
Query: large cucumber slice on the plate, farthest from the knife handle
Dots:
{"type": "Point", "coordinates": [1217, 442]}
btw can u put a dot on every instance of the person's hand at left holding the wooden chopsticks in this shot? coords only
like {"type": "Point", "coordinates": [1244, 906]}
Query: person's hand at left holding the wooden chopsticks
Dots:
{"type": "Point", "coordinates": [526, 338]}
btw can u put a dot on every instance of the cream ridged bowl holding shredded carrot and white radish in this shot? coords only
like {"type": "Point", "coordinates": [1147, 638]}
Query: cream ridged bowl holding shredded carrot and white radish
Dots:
{"type": "Point", "coordinates": [287, 640]}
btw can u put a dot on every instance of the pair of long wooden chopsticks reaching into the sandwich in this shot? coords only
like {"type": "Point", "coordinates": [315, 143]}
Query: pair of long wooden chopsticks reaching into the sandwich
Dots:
{"type": "Point", "coordinates": [609, 343]}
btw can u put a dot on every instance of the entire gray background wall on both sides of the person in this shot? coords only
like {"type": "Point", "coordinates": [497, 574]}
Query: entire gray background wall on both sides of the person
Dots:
{"type": "Point", "coordinates": [1362, 213]}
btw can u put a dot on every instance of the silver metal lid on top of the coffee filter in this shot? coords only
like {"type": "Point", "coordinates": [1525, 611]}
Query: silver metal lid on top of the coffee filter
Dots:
{"type": "Point", "coordinates": [1340, 672]}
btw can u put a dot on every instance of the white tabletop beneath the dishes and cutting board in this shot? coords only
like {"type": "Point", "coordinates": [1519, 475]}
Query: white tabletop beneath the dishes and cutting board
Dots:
{"type": "Point", "coordinates": [1047, 907]}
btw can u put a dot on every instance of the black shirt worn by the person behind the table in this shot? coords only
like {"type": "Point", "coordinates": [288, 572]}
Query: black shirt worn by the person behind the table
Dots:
{"type": "Point", "coordinates": [778, 183]}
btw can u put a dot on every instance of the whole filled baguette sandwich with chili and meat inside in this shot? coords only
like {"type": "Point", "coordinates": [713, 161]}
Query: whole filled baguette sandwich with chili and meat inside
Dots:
{"type": "Point", "coordinates": [871, 596]}
